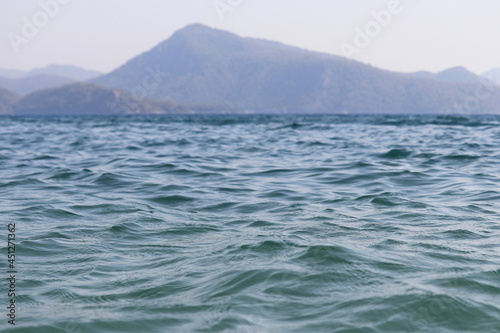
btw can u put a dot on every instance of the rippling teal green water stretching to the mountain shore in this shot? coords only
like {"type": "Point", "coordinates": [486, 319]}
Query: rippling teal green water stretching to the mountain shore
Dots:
{"type": "Point", "coordinates": [253, 223]}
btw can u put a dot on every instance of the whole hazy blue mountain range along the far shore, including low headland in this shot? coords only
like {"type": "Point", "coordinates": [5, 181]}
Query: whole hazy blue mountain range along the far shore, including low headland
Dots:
{"type": "Point", "coordinates": [205, 70]}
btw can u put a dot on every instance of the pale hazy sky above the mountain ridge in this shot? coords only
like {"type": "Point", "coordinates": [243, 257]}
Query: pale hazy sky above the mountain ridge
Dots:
{"type": "Point", "coordinates": [103, 34]}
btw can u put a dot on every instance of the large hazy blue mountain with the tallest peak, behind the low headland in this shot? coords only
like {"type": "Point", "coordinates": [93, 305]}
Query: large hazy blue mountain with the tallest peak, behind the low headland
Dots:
{"type": "Point", "coordinates": [201, 65]}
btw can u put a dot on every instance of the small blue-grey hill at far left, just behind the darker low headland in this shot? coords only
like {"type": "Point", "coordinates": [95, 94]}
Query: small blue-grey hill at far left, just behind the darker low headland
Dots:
{"type": "Point", "coordinates": [29, 84]}
